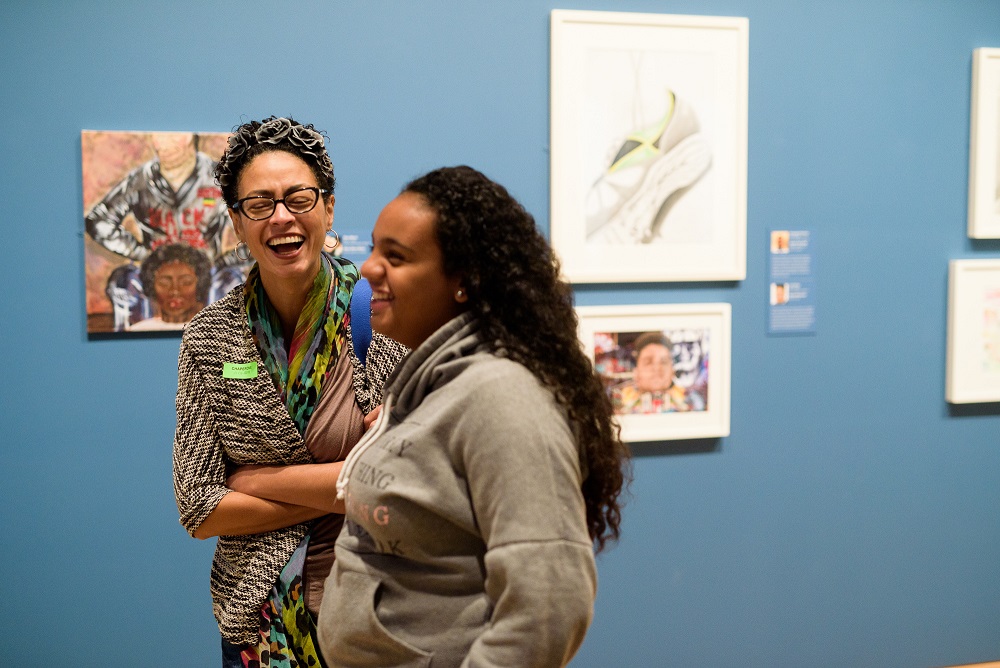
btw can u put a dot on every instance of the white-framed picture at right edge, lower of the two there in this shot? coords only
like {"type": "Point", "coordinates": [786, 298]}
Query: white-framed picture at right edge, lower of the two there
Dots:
{"type": "Point", "coordinates": [973, 361]}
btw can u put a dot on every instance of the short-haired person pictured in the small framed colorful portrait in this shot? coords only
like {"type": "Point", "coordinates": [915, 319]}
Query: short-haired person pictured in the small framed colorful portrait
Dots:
{"type": "Point", "coordinates": [654, 387]}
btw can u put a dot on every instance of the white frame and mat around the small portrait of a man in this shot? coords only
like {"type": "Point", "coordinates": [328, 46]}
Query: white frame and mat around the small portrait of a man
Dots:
{"type": "Point", "coordinates": [712, 423]}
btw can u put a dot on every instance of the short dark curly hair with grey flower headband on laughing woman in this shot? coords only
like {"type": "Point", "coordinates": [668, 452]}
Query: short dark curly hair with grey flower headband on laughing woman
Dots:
{"type": "Point", "coordinates": [273, 134]}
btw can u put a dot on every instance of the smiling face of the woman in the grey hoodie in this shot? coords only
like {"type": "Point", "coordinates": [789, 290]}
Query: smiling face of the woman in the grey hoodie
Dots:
{"type": "Point", "coordinates": [411, 295]}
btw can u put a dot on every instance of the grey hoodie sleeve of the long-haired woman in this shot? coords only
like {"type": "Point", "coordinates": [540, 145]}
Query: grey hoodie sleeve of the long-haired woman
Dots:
{"type": "Point", "coordinates": [523, 471]}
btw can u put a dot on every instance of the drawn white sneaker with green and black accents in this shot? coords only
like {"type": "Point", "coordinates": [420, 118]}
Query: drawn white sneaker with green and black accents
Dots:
{"type": "Point", "coordinates": [649, 166]}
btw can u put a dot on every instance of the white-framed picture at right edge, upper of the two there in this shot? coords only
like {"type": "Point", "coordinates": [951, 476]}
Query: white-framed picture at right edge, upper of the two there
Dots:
{"type": "Point", "coordinates": [984, 146]}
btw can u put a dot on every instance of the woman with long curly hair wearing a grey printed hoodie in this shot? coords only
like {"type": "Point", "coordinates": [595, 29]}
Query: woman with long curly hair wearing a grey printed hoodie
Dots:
{"type": "Point", "coordinates": [475, 503]}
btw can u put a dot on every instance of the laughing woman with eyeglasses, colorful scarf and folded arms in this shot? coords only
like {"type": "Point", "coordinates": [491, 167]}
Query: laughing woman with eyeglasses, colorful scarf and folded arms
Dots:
{"type": "Point", "coordinates": [271, 397]}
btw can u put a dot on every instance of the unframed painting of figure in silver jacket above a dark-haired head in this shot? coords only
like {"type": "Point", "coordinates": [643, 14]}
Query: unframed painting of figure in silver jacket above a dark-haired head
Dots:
{"type": "Point", "coordinates": [158, 245]}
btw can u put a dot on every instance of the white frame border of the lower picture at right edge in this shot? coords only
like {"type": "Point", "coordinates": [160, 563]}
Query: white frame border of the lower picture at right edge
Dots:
{"type": "Point", "coordinates": [958, 386]}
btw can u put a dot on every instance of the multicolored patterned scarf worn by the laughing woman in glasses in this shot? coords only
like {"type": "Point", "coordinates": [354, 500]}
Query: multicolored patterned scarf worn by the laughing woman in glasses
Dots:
{"type": "Point", "coordinates": [287, 630]}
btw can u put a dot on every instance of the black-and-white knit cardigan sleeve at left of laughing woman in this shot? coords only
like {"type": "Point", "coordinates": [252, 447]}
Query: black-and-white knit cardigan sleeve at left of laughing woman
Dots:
{"type": "Point", "coordinates": [199, 467]}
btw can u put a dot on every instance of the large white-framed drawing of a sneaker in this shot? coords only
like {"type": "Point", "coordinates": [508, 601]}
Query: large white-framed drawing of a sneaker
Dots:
{"type": "Point", "coordinates": [649, 146]}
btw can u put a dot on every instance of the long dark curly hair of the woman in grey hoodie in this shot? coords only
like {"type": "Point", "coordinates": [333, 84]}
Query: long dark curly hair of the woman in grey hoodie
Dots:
{"type": "Point", "coordinates": [526, 313]}
